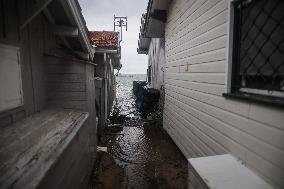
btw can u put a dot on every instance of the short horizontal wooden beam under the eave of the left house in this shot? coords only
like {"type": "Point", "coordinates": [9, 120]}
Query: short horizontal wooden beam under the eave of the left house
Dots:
{"type": "Point", "coordinates": [68, 31]}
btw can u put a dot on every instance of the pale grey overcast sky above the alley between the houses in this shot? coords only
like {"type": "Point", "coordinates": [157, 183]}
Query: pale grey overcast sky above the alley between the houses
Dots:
{"type": "Point", "coordinates": [99, 16]}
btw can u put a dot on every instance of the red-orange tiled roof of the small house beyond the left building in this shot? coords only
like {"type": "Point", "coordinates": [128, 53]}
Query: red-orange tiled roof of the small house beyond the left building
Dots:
{"type": "Point", "coordinates": [104, 39]}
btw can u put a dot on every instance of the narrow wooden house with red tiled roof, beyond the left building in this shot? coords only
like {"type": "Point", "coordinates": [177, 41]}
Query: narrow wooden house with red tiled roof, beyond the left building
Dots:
{"type": "Point", "coordinates": [107, 57]}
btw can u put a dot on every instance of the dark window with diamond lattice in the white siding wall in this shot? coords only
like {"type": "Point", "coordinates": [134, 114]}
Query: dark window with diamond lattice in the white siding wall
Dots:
{"type": "Point", "coordinates": [256, 54]}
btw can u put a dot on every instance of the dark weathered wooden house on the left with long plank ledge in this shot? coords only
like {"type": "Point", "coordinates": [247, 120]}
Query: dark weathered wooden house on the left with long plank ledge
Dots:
{"type": "Point", "coordinates": [47, 95]}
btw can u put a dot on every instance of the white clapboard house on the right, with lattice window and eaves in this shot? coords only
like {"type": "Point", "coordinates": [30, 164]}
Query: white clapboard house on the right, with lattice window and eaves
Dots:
{"type": "Point", "coordinates": [223, 78]}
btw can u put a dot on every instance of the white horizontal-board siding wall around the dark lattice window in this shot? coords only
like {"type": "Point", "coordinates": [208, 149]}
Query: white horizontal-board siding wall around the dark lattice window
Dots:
{"type": "Point", "coordinates": [200, 120]}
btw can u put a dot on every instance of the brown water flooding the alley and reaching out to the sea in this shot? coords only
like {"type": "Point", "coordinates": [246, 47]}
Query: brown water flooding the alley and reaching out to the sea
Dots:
{"type": "Point", "coordinates": [142, 155]}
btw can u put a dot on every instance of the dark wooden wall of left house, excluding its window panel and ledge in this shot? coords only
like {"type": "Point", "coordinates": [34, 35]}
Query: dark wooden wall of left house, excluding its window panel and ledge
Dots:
{"type": "Point", "coordinates": [53, 82]}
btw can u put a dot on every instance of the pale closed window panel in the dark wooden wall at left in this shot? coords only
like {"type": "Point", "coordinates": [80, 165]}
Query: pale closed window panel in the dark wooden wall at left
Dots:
{"type": "Point", "coordinates": [10, 78]}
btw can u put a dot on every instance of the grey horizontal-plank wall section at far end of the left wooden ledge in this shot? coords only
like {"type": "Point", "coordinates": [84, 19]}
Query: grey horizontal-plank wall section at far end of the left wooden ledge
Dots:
{"type": "Point", "coordinates": [70, 84]}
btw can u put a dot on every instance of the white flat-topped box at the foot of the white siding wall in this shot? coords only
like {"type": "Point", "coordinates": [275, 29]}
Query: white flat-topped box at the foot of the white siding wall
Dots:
{"type": "Point", "coordinates": [222, 172]}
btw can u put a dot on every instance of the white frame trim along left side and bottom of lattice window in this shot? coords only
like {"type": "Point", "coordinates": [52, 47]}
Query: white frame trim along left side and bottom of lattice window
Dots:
{"type": "Point", "coordinates": [230, 50]}
